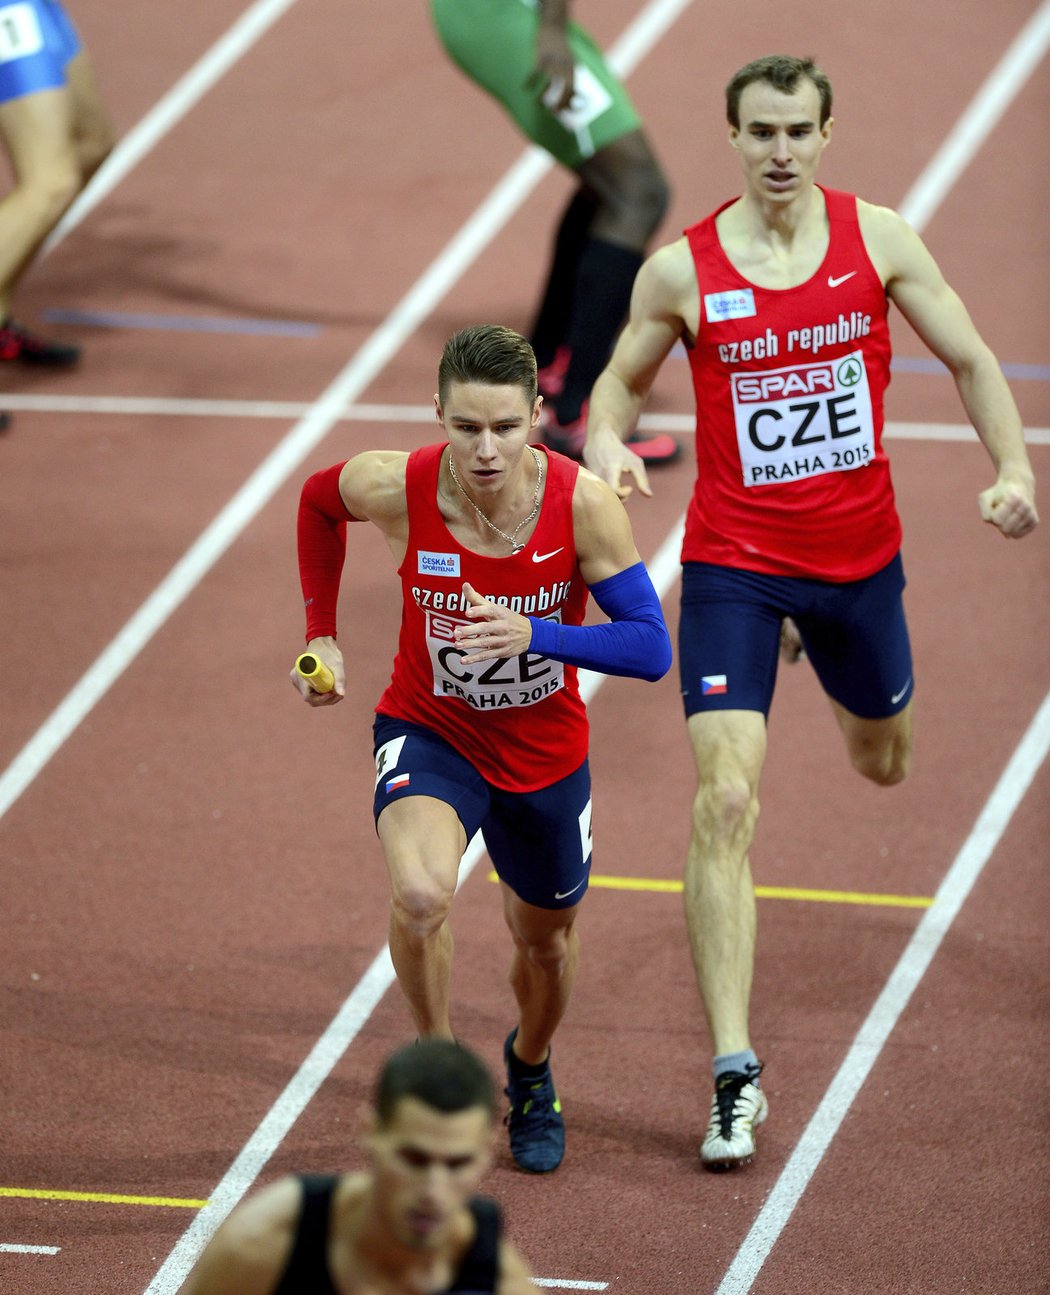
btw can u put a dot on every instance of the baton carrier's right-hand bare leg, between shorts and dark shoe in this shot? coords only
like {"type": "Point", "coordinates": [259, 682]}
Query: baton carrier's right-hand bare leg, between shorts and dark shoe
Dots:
{"type": "Point", "coordinates": [542, 972]}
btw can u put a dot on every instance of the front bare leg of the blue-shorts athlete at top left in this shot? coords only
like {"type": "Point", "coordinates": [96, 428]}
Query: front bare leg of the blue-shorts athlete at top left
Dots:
{"type": "Point", "coordinates": [39, 138]}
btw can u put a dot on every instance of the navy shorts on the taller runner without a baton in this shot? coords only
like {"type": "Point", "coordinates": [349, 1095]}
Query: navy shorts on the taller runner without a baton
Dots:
{"type": "Point", "coordinates": [855, 636]}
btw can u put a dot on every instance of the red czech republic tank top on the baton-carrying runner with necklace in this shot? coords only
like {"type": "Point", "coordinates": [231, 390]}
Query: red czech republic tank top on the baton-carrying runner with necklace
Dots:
{"type": "Point", "coordinates": [520, 721]}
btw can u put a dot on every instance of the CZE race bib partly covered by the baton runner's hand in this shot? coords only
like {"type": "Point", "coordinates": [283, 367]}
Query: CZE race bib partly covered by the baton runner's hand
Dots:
{"type": "Point", "coordinates": [491, 686]}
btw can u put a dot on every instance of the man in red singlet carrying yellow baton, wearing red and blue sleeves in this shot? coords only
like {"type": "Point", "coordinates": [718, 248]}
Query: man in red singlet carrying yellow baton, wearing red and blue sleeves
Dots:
{"type": "Point", "coordinates": [499, 546]}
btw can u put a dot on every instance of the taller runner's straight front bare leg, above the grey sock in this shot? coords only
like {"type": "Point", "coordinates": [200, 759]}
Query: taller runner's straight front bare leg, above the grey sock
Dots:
{"type": "Point", "coordinates": [730, 750]}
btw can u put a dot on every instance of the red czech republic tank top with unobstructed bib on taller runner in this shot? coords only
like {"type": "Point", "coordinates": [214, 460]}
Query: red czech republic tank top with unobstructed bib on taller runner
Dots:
{"type": "Point", "coordinates": [792, 475]}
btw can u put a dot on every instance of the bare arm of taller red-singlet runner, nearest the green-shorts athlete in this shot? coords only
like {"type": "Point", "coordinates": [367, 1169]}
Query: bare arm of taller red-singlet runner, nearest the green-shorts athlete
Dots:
{"type": "Point", "coordinates": [665, 306]}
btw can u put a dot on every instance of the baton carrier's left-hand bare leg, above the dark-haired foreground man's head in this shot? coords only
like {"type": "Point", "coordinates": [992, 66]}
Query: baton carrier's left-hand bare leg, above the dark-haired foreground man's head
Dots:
{"type": "Point", "coordinates": [423, 842]}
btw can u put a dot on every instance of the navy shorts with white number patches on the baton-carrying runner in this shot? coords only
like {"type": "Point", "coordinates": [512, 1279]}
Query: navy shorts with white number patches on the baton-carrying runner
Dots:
{"type": "Point", "coordinates": [539, 841]}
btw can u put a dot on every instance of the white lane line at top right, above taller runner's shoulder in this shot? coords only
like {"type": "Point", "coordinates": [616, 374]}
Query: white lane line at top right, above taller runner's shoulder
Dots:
{"type": "Point", "coordinates": [983, 115]}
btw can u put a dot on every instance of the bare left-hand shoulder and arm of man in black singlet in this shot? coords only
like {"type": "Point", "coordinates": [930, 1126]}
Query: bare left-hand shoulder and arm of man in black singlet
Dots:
{"type": "Point", "coordinates": [249, 1253]}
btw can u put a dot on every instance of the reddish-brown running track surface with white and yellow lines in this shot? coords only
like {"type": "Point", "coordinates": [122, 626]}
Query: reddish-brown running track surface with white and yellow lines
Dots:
{"type": "Point", "coordinates": [196, 995]}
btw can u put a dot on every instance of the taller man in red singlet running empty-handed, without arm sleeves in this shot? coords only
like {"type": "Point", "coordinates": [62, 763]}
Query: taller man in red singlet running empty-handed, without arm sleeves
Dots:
{"type": "Point", "coordinates": [781, 300]}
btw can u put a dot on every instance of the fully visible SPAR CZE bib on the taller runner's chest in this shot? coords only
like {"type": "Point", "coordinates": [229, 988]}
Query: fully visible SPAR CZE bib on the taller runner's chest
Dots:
{"type": "Point", "coordinates": [803, 422]}
